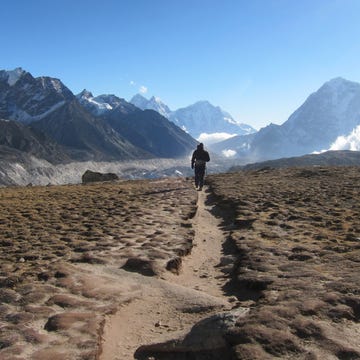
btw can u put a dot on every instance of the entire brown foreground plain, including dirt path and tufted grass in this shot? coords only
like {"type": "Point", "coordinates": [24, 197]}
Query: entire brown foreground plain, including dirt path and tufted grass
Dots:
{"type": "Point", "coordinates": [262, 264]}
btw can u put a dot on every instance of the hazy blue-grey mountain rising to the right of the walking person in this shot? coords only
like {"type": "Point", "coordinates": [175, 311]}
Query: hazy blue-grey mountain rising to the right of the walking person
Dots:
{"type": "Point", "coordinates": [330, 112]}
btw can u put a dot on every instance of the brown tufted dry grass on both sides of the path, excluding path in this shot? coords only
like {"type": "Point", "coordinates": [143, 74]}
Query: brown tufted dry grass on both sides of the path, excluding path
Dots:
{"type": "Point", "coordinates": [296, 235]}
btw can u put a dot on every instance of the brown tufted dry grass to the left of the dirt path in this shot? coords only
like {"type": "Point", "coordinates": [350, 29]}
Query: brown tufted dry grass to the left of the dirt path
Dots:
{"type": "Point", "coordinates": [58, 245]}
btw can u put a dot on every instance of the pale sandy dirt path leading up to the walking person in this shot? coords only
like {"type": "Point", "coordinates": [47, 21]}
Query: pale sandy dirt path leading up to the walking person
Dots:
{"type": "Point", "coordinates": [170, 306]}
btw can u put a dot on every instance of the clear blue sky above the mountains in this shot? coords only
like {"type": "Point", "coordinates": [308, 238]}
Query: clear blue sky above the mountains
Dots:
{"type": "Point", "coordinates": [257, 59]}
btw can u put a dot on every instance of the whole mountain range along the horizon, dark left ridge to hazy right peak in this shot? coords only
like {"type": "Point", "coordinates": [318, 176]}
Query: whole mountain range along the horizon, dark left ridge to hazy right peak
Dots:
{"type": "Point", "coordinates": [43, 124]}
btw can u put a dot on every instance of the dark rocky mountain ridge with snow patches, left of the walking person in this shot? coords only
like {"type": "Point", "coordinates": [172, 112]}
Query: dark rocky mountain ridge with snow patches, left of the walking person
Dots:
{"type": "Point", "coordinates": [64, 127]}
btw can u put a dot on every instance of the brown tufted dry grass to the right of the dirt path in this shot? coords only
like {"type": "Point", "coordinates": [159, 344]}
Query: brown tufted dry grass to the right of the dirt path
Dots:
{"type": "Point", "coordinates": [298, 236]}
